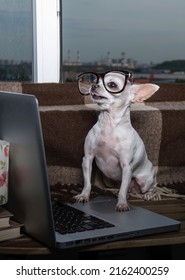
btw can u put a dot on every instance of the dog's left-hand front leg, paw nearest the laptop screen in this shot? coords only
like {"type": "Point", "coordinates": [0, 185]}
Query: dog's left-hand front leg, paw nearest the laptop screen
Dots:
{"type": "Point", "coordinates": [87, 170]}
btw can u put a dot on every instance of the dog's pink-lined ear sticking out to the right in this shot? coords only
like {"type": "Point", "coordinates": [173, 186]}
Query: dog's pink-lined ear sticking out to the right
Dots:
{"type": "Point", "coordinates": [143, 91]}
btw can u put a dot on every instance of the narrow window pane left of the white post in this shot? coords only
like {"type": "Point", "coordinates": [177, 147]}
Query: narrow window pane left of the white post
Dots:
{"type": "Point", "coordinates": [16, 40]}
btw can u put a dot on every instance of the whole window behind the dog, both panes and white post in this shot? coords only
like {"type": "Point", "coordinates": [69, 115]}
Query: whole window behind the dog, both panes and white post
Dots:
{"type": "Point", "coordinates": [95, 33]}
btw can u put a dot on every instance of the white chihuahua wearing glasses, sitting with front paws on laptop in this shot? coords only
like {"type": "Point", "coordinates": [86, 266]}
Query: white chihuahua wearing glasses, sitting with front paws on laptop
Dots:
{"type": "Point", "coordinates": [116, 147]}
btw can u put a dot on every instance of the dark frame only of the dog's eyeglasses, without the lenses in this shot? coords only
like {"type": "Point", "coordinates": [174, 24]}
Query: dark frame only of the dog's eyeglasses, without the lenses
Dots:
{"type": "Point", "coordinates": [126, 73]}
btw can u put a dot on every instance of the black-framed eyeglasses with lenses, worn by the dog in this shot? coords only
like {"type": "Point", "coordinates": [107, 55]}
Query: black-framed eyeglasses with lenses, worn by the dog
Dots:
{"type": "Point", "coordinates": [114, 81]}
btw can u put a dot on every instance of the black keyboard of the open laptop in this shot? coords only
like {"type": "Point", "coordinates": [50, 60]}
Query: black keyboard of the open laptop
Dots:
{"type": "Point", "coordinates": [70, 220]}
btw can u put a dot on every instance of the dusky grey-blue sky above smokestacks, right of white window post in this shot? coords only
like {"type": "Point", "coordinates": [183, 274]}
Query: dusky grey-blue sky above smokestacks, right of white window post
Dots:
{"type": "Point", "coordinates": [146, 30]}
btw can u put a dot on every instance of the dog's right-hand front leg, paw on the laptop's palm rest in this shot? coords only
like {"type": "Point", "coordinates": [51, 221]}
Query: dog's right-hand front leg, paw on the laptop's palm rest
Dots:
{"type": "Point", "coordinates": [122, 204]}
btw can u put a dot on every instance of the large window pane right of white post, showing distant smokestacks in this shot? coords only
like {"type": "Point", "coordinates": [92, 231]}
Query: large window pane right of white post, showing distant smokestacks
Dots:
{"type": "Point", "coordinates": [139, 35]}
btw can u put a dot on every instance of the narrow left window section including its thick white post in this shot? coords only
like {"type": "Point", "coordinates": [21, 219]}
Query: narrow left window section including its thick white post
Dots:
{"type": "Point", "coordinates": [30, 40]}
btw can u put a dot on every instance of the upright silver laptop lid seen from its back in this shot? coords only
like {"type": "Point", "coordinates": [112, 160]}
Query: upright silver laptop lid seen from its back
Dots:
{"type": "Point", "coordinates": [29, 194]}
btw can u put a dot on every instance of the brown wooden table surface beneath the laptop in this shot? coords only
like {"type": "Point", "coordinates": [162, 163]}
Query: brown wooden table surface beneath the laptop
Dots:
{"type": "Point", "coordinates": [173, 208]}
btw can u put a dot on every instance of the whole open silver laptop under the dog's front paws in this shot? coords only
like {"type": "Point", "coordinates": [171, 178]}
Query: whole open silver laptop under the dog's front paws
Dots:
{"type": "Point", "coordinates": [29, 190]}
